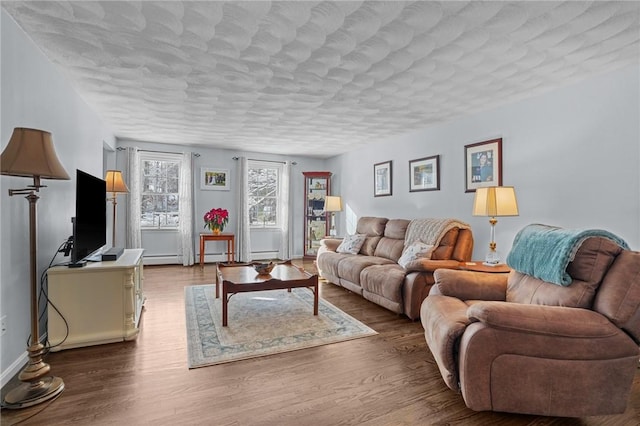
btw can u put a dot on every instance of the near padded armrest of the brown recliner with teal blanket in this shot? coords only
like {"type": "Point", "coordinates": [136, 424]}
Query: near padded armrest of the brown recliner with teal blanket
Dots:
{"type": "Point", "coordinates": [557, 321]}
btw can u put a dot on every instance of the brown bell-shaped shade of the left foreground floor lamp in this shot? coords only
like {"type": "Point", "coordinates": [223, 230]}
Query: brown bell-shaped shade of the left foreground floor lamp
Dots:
{"type": "Point", "coordinates": [30, 153]}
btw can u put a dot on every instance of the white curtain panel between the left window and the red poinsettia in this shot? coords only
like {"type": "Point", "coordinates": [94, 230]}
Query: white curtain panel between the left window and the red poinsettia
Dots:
{"type": "Point", "coordinates": [185, 213]}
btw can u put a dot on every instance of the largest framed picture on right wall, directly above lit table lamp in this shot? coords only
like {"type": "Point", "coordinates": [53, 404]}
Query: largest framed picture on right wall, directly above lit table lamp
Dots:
{"type": "Point", "coordinates": [483, 164]}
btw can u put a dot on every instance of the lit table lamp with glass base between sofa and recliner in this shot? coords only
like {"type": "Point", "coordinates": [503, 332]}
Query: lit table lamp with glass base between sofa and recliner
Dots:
{"type": "Point", "coordinates": [495, 201]}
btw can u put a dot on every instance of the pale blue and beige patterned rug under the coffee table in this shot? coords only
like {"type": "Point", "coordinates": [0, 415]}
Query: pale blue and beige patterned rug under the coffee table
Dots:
{"type": "Point", "coordinates": [261, 323]}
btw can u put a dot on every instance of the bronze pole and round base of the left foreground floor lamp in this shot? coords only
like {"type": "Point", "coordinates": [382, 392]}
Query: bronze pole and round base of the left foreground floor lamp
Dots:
{"type": "Point", "coordinates": [37, 387]}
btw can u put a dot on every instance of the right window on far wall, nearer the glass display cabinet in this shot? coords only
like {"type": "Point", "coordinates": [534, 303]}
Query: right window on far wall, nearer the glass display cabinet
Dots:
{"type": "Point", "coordinates": [264, 191]}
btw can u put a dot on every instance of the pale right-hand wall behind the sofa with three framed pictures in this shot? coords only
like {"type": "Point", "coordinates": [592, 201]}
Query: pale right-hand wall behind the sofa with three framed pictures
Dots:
{"type": "Point", "coordinates": [572, 155]}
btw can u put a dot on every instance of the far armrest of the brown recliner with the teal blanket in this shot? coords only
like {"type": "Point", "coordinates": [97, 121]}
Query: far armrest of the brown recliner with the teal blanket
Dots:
{"type": "Point", "coordinates": [467, 285]}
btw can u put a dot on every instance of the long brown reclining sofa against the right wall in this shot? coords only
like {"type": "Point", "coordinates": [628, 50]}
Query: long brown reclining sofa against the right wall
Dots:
{"type": "Point", "coordinates": [374, 272]}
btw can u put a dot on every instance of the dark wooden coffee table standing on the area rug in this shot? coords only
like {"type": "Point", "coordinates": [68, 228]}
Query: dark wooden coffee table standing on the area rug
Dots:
{"type": "Point", "coordinates": [242, 278]}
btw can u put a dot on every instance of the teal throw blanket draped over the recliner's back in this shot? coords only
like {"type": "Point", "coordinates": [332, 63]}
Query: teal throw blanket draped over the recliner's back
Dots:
{"type": "Point", "coordinates": [544, 251]}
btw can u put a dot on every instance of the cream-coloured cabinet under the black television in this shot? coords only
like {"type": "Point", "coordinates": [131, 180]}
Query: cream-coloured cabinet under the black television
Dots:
{"type": "Point", "coordinates": [101, 302]}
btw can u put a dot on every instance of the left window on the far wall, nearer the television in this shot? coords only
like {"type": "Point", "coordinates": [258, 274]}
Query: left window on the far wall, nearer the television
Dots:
{"type": "Point", "coordinates": [160, 182]}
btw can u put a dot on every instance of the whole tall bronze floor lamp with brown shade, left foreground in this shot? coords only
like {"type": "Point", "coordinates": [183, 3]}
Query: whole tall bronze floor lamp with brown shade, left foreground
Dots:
{"type": "Point", "coordinates": [30, 153]}
